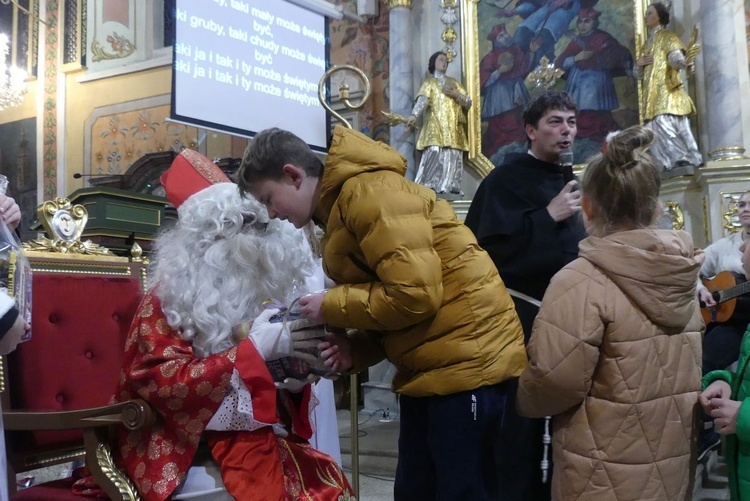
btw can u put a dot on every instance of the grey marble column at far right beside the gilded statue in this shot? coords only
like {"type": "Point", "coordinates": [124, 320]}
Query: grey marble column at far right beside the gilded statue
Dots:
{"type": "Point", "coordinates": [722, 78]}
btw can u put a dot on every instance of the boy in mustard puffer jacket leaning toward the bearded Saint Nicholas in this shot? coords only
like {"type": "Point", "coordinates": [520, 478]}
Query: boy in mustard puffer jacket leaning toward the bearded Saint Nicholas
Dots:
{"type": "Point", "coordinates": [418, 289]}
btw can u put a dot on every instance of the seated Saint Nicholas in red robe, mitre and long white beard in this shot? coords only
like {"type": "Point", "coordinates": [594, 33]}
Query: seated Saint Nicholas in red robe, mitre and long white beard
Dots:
{"type": "Point", "coordinates": [198, 351]}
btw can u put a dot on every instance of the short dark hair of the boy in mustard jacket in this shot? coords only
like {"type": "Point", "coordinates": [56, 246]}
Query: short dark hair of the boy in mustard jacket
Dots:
{"type": "Point", "coordinates": [268, 153]}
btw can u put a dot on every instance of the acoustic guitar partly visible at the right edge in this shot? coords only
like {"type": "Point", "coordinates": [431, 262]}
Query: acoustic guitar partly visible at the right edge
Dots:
{"type": "Point", "coordinates": [727, 288]}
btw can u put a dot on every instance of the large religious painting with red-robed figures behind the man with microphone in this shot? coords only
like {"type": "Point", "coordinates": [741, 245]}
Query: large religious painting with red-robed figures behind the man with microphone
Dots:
{"type": "Point", "coordinates": [592, 43]}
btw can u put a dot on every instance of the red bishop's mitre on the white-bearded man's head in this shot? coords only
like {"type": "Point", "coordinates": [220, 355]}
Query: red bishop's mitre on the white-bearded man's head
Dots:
{"type": "Point", "coordinates": [189, 173]}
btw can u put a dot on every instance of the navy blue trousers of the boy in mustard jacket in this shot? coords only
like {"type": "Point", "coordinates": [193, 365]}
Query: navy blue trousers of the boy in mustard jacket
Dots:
{"type": "Point", "coordinates": [447, 446]}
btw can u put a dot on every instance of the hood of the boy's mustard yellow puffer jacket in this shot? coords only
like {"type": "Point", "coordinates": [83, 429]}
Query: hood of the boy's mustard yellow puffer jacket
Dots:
{"type": "Point", "coordinates": [352, 153]}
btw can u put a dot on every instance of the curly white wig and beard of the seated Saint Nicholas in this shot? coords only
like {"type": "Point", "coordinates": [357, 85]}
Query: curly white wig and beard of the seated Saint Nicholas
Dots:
{"type": "Point", "coordinates": [224, 257]}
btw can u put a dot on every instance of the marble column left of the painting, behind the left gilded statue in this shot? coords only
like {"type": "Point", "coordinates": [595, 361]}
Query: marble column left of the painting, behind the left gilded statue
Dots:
{"type": "Point", "coordinates": [400, 80]}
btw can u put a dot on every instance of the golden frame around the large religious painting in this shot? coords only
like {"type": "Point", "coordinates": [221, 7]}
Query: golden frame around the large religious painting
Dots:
{"type": "Point", "coordinates": [470, 69]}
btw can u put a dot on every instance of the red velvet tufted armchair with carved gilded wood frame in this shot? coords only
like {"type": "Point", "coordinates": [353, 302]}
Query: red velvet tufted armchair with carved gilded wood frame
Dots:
{"type": "Point", "coordinates": [56, 386]}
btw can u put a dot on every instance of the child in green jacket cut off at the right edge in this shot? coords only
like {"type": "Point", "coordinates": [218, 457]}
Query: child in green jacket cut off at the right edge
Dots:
{"type": "Point", "coordinates": [726, 398]}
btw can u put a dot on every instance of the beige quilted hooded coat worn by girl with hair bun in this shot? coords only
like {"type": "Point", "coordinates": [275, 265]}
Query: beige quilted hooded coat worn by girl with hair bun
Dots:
{"type": "Point", "coordinates": [615, 357]}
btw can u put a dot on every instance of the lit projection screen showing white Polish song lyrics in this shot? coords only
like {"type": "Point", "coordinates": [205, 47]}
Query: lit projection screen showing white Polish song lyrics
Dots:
{"type": "Point", "coordinates": [241, 66]}
